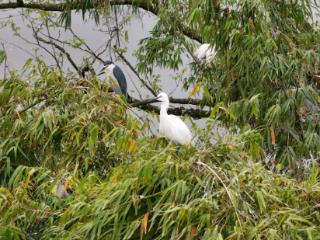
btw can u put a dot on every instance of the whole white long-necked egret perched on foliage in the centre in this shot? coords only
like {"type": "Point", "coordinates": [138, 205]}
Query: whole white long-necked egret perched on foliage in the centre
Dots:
{"type": "Point", "coordinates": [172, 126]}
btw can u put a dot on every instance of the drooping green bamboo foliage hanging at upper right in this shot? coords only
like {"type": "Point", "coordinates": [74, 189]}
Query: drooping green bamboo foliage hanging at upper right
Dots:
{"type": "Point", "coordinates": [263, 74]}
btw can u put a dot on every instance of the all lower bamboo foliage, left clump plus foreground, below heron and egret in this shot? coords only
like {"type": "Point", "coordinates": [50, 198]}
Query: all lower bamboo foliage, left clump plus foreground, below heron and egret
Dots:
{"type": "Point", "coordinates": [129, 186]}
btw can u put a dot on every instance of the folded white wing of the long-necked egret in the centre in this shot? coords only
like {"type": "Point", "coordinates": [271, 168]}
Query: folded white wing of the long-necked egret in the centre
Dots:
{"type": "Point", "coordinates": [178, 131]}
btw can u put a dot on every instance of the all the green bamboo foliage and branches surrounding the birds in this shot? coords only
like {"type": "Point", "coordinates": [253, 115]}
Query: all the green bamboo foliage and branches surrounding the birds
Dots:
{"type": "Point", "coordinates": [75, 164]}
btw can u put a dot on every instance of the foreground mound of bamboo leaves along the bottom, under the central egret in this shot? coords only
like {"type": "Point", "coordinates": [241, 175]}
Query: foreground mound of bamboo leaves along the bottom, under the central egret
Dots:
{"type": "Point", "coordinates": [166, 196]}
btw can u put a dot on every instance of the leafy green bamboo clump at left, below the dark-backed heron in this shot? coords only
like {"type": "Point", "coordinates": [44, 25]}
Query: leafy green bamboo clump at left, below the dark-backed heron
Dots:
{"type": "Point", "coordinates": [53, 122]}
